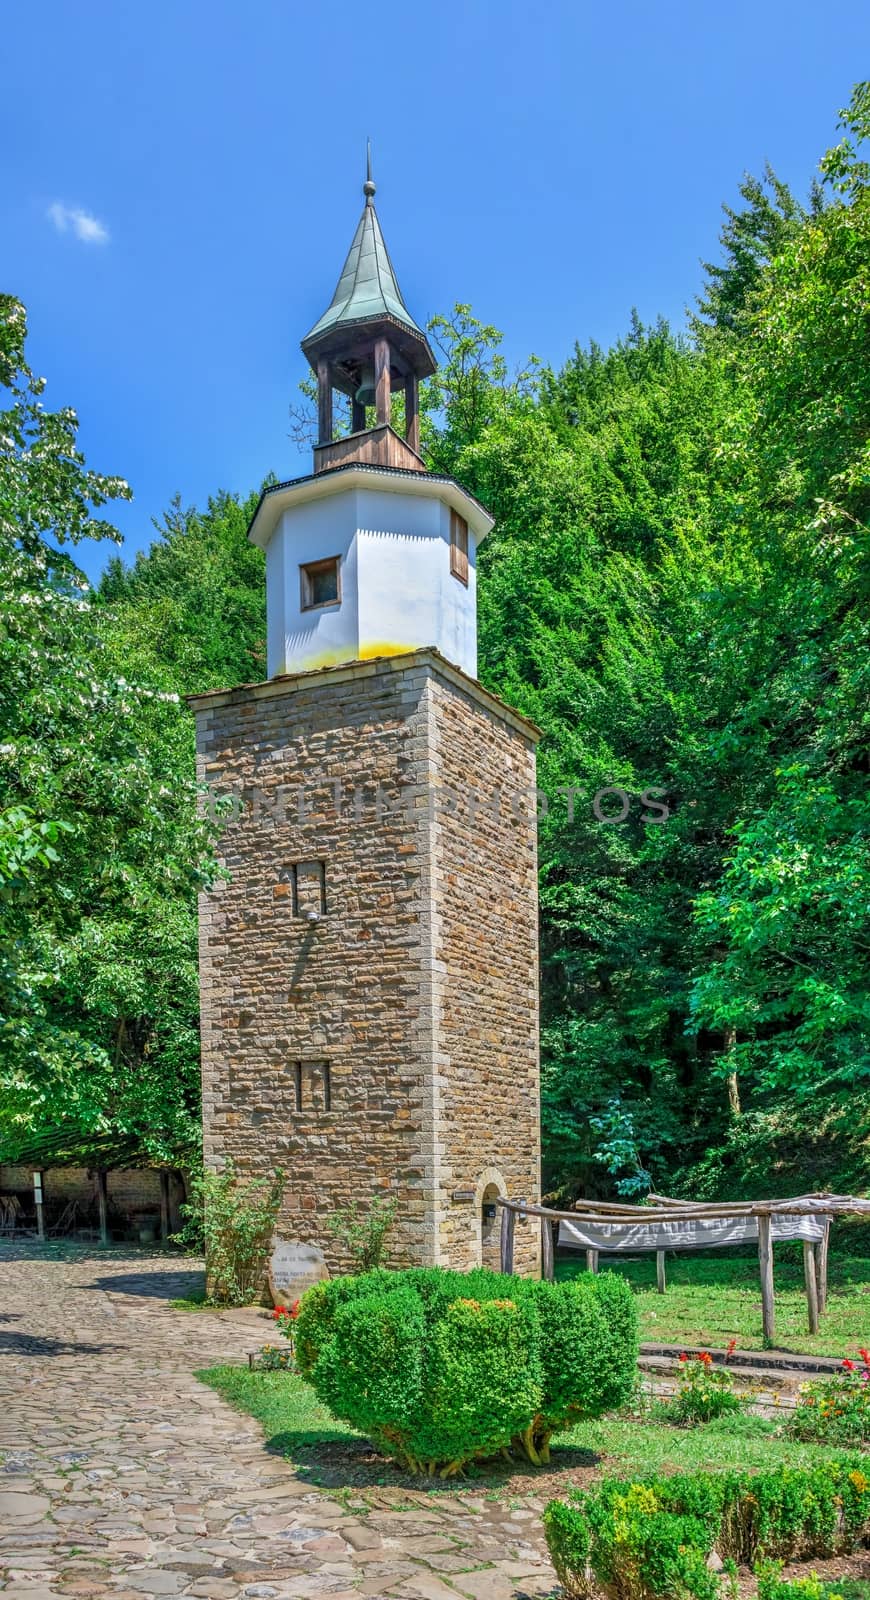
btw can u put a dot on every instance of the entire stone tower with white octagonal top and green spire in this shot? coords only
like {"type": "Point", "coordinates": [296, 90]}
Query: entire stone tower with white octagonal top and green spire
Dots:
{"type": "Point", "coordinates": [370, 964]}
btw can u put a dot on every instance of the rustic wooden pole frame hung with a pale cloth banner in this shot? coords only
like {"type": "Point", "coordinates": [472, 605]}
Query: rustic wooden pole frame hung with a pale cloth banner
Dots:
{"type": "Point", "coordinates": [658, 1220]}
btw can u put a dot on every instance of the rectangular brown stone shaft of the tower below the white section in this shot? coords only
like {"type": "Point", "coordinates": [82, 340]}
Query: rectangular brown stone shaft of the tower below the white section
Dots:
{"type": "Point", "coordinates": [325, 954]}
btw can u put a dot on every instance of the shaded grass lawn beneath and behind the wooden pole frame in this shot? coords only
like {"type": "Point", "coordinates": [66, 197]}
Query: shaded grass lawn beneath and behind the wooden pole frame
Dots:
{"type": "Point", "coordinates": [716, 1298]}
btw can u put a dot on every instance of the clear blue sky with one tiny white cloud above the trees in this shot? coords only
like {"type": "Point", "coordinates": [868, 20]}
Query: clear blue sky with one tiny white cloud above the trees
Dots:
{"type": "Point", "coordinates": [185, 180]}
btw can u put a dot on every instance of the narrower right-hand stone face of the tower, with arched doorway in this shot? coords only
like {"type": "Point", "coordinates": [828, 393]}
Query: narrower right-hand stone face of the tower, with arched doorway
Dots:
{"type": "Point", "coordinates": [487, 943]}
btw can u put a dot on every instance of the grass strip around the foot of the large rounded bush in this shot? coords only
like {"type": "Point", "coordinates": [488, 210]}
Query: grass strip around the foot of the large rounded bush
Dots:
{"type": "Point", "coordinates": [300, 1428]}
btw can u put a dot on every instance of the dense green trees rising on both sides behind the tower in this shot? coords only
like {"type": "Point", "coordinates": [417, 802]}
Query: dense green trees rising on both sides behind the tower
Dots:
{"type": "Point", "coordinates": [676, 591]}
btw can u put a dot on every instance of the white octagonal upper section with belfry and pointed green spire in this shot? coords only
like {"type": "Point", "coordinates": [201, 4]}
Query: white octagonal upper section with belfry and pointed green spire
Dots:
{"type": "Point", "coordinates": [370, 556]}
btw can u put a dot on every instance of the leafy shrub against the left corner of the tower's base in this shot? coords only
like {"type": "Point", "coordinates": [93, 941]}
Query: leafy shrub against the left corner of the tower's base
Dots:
{"type": "Point", "coordinates": [233, 1222]}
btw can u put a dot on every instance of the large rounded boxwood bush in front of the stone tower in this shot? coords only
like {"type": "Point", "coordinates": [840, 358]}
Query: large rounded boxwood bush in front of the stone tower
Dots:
{"type": "Point", "coordinates": [442, 1369]}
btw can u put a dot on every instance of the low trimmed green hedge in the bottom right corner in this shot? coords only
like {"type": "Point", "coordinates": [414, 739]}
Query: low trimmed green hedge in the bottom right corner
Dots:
{"type": "Point", "coordinates": [652, 1540]}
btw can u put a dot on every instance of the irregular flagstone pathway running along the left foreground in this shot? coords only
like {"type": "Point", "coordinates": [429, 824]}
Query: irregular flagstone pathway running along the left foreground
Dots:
{"type": "Point", "coordinates": [122, 1476]}
